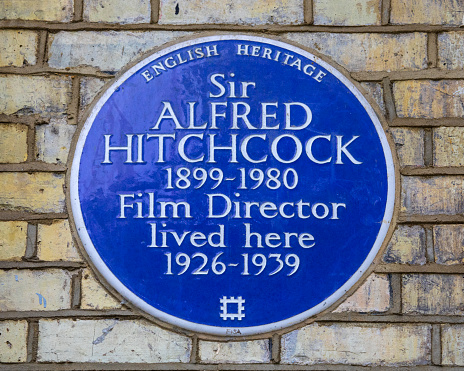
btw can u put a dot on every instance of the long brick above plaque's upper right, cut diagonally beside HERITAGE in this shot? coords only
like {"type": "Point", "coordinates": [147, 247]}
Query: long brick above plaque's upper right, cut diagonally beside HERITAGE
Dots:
{"type": "Point", "coordinates": [369, 52]}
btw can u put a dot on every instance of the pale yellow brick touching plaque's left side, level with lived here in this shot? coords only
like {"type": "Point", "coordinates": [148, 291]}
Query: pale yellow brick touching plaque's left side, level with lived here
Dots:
{"type": "Point", "coordinates": [54, 242]}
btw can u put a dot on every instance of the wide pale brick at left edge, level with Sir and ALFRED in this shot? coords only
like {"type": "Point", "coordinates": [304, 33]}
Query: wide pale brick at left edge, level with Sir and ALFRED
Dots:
{"type": "Point", "coordinates": [46, 96]}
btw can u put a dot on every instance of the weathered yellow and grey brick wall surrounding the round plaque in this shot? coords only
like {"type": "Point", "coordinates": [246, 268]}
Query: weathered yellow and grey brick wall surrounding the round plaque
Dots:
{"type": "Point", "coordinates": [55, 56]}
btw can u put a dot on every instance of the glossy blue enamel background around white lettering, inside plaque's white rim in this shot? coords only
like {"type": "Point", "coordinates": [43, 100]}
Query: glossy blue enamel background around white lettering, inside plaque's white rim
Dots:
{"type": "Point", "coordinates": [341, 245]}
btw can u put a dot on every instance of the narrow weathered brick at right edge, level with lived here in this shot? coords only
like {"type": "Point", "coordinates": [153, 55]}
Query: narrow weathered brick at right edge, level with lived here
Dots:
{"type": "Point", "coordinates": [449, 244]}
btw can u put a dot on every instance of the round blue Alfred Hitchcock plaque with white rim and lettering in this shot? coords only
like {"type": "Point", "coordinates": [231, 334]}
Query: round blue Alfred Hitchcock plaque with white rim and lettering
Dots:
{"type": "Point", "coordinates": [232, 185]}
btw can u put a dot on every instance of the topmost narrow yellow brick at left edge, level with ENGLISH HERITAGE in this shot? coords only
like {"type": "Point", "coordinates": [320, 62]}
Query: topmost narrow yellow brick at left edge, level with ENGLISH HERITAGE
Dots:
{"type": "Point", "coordinates": [17, 48]}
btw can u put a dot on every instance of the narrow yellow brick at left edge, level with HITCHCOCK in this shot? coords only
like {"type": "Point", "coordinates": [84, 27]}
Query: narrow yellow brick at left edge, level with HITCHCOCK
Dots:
{"type": "Point", "coordinates": [13, 143]}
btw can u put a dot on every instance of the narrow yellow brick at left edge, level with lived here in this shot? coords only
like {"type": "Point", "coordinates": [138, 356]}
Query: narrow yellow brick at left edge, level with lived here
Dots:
{"type": "Point", "coordinates": [13, 240]}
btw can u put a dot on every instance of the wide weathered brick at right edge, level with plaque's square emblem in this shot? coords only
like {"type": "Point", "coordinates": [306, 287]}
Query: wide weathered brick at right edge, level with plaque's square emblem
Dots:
{"type": "Point", "coordinates": [433, 294]}
